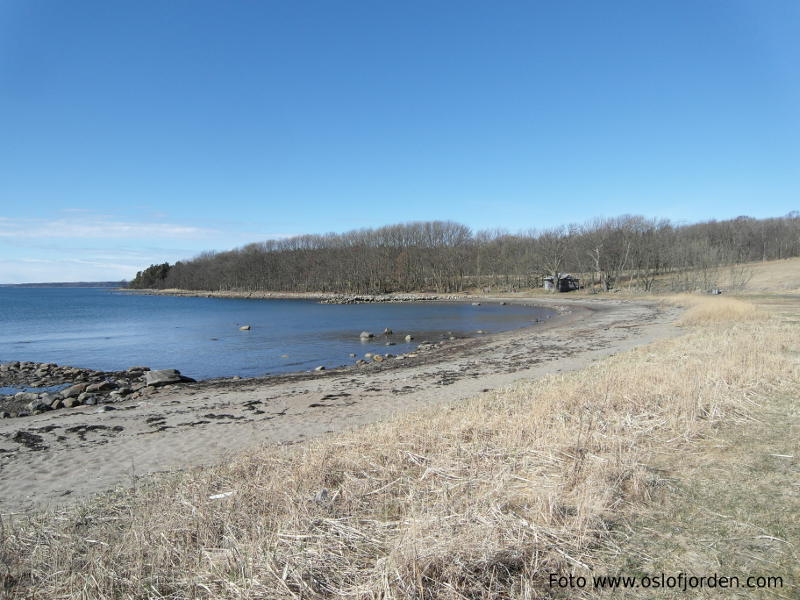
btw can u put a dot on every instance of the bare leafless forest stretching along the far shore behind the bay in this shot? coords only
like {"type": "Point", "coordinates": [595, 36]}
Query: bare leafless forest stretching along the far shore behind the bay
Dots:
{"type": "Point", "coordinates": [629, 251]}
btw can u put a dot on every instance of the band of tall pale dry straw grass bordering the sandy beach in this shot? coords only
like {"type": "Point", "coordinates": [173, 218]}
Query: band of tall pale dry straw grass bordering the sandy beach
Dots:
{"type": "Point", "coordinates": [479, 500]}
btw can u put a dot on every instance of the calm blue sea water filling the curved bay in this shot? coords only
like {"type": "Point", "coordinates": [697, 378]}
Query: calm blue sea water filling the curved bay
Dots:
{"type": "Point", "coordinates": [100, 329]}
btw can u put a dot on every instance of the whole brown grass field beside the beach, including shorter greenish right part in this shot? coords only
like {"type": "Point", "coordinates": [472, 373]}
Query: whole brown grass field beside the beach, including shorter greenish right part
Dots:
{"type": "Point", "coordinates": [610, 470]}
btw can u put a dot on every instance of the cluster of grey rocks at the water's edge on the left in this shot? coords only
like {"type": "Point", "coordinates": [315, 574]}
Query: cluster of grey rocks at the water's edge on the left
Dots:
{"type": "Point", "coordinates": [78, 387]}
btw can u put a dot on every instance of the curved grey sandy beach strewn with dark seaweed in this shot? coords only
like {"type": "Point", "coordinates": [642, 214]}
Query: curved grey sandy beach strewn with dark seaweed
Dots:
{"type": "Point", "coordinates": [64, 456]}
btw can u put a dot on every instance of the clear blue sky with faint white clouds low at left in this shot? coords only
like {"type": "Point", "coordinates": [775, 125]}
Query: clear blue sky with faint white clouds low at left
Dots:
{"type": "Point", "coordinates": [137, 132]}
